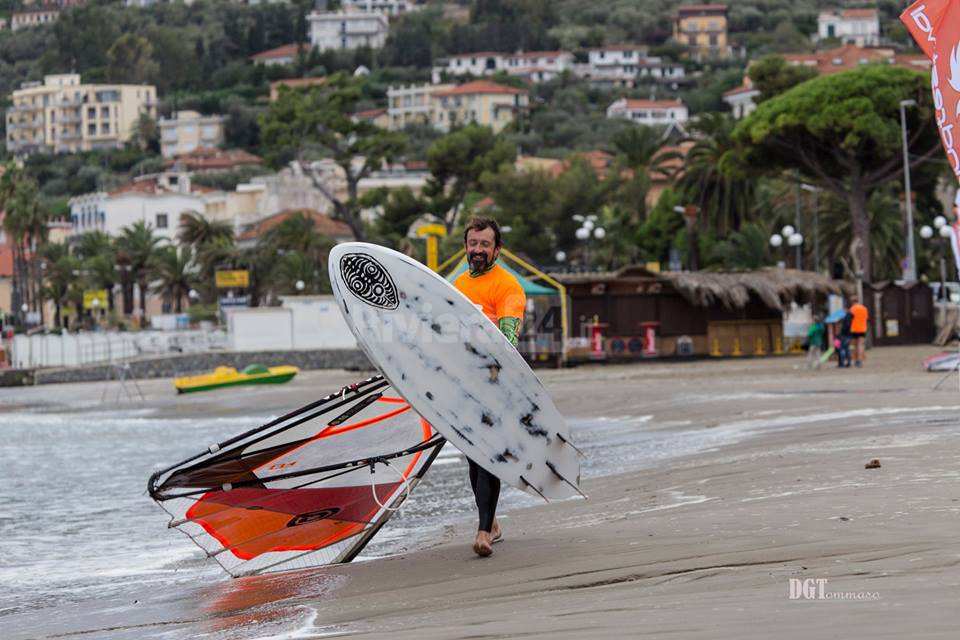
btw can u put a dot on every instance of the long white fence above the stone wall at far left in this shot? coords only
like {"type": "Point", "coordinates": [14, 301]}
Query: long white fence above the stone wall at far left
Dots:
{"type": "Point", "coordinates": [74, 349]}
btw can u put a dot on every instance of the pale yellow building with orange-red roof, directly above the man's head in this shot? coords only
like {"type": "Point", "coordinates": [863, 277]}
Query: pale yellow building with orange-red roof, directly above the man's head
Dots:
{"type": "Point", "coordinates": [481, 102]}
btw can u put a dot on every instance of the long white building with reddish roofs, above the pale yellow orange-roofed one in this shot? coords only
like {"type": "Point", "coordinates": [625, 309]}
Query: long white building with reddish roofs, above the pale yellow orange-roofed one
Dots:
{"type": "Point", "coordinates": [536, 66]}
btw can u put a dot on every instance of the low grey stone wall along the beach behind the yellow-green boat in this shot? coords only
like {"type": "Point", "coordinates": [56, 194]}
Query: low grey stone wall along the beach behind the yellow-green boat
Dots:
{"type": "Point", "coordinates": [188, 364]}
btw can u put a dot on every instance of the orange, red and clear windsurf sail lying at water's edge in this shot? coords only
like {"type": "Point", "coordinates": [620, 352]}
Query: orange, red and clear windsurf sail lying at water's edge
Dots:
{"type": "Point", "coordinates": [307, 489]}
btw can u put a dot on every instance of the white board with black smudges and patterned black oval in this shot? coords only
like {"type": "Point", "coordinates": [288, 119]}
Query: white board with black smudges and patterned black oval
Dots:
{"type": "Point", "coordinates": [455, 368]}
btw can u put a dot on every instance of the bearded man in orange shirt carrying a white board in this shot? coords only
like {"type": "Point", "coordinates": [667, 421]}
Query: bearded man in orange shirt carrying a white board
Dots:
{"type": "Point", "coordinates": [497, 293]}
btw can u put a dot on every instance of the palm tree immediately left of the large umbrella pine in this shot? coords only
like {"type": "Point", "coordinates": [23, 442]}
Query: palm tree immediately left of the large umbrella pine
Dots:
{"type": "Point", "coordinates": [712, 179]}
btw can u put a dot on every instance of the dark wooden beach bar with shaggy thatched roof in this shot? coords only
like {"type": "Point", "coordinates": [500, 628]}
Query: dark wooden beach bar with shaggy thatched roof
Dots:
{"type": "Point", "coordinates": [641, 313]}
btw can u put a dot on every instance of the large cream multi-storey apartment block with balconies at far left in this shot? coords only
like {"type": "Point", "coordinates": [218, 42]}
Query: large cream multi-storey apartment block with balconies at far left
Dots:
{"type": "Point", "coordinates": [63, 115]}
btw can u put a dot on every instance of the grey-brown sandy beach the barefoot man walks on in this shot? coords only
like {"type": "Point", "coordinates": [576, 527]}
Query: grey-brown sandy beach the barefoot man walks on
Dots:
{"type": "Point", "coordinates": [700, 546]}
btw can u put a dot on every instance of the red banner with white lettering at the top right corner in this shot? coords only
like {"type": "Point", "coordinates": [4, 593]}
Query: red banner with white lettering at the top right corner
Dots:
{"type": "Point", "coordinates": [935, 24]}
